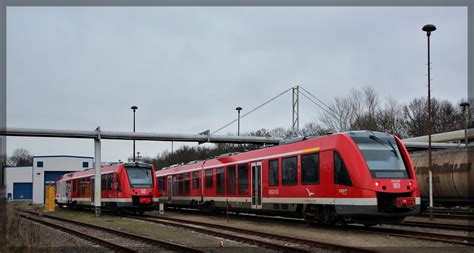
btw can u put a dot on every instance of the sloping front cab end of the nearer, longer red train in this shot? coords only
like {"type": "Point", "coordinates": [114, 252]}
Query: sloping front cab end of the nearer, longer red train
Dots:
{"type": "Point", "coordinates": [382, 173]}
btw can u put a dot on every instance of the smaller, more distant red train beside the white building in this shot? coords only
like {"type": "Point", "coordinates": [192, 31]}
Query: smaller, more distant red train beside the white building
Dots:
{"type": "Point", "coordinates": [124, 186]}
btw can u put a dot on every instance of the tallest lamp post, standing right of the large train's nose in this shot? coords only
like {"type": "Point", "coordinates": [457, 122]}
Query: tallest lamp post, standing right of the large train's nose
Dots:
{"type": "Point", "coordinates": [428, 29]}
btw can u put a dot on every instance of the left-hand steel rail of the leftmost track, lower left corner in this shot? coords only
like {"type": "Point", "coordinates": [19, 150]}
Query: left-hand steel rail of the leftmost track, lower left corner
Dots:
{"type": "Point", "coordinates": [108, 244]}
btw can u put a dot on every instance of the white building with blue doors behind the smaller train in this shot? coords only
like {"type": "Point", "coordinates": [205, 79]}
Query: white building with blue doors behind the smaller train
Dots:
{"type": "Point", "coordinates": [45, 170]}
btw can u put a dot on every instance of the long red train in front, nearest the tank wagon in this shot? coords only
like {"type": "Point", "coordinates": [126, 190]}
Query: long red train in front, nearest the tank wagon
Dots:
{"type": "Point", "coordinates": [360, 176]}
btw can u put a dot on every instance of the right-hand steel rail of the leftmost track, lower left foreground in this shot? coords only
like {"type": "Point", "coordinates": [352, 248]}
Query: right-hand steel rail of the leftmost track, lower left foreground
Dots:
{"type": "Point", "coordinates": [165, 244]}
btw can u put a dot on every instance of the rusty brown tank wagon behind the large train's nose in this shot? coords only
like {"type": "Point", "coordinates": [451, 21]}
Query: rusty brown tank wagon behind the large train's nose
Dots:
{"type": "Point", "coordinates": [453, 176]}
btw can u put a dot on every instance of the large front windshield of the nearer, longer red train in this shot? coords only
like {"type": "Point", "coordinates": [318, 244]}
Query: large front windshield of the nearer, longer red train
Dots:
{"type": "Point", "coordinates": [382, 156]}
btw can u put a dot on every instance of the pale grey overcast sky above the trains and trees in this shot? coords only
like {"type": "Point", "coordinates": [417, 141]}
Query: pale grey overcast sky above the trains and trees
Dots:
{"type": "Point", "coordinates": [187, 68]}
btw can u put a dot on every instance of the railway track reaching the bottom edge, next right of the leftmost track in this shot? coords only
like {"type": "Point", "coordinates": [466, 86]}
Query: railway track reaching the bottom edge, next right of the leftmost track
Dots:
{"type": "Point", "coordinates": [272, 241]}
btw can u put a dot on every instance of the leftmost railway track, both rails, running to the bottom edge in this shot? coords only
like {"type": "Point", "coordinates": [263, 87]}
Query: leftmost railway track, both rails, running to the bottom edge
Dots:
{"type": "Point", "coordinates": [116, 240]}
